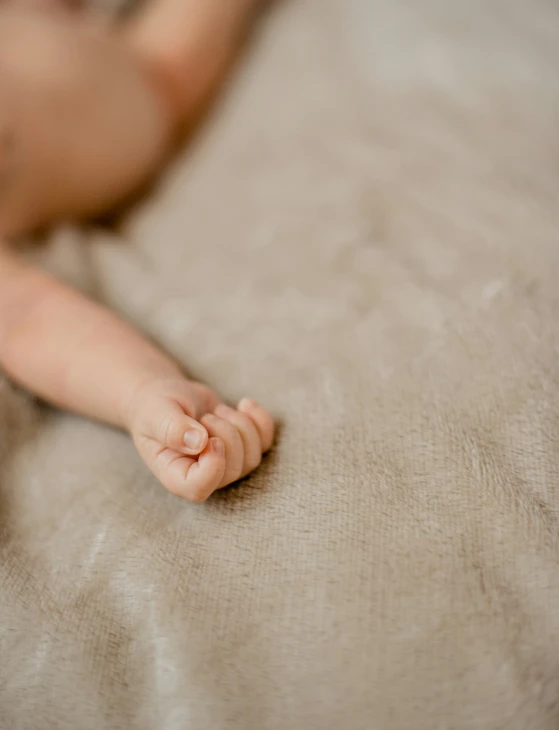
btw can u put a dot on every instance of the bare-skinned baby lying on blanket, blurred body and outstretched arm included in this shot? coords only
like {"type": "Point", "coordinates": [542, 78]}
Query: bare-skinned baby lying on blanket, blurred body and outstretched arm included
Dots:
{"type": "Point", "coordinates": [57, 343]}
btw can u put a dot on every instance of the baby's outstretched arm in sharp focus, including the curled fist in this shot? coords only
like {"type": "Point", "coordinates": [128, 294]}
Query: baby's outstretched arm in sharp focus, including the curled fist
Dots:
{"type": "Point", "coordinates": [79, 356]}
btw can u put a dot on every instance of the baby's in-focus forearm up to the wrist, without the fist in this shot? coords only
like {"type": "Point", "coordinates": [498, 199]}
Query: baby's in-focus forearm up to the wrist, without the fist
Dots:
{"type": "Point", "coordinates": [69, 350]}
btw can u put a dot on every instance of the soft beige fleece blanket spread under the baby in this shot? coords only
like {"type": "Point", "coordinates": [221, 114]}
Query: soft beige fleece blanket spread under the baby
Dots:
{"type": "Point", "coordinates": [365, 236]}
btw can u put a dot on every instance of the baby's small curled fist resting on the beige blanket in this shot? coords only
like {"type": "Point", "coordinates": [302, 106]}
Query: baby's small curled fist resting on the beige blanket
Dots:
{"type": "Point", "coordinates": [191, 441]}
